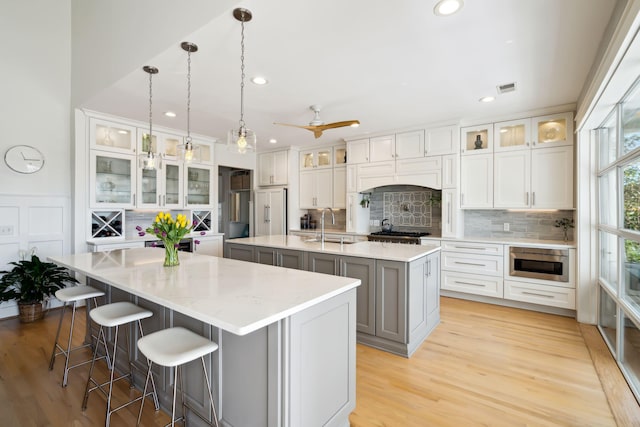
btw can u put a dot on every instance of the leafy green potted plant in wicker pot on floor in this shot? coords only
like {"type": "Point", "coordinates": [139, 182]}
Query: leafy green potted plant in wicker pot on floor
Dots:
{"type": "Point", "coordinates": [30, 282]}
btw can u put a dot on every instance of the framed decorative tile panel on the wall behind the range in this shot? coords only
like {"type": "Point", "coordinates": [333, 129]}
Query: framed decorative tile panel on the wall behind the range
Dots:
{"type": "Point", "coordinates": [408, 208]}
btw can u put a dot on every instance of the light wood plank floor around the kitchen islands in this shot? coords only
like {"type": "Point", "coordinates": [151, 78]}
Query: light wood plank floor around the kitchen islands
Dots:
{"type": "Point", "coordinates": [484, 365]}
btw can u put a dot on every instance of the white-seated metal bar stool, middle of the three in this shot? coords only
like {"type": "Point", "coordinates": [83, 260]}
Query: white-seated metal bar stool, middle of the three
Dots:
{"type": "Point", "coordinates": [114, 315]}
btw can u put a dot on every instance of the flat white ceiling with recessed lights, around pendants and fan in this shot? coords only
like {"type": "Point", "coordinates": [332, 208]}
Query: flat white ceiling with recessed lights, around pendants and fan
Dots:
{"type": "Point", "coordinates": [389, 64]}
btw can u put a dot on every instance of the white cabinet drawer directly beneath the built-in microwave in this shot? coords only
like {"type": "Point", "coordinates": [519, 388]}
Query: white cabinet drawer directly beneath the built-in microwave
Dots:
{"type": "Point", "coordinates": [540, 294]}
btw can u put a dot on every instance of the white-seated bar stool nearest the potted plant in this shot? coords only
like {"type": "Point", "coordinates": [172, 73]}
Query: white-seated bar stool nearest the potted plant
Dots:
{"type": "Point", "coordinates": [72, 295]}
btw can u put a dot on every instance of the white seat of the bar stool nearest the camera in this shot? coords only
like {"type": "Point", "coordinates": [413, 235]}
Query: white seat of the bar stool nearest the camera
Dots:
{"type": "Point", "coordinates": [175, 346]}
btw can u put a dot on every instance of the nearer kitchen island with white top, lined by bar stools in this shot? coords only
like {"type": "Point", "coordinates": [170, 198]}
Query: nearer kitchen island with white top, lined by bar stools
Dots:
{"type": "Point", "coordinates": [286, 338]}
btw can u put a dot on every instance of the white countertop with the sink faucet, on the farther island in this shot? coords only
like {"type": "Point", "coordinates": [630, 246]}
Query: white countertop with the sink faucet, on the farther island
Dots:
{"type": "Point", "coordinates": [374, 250]}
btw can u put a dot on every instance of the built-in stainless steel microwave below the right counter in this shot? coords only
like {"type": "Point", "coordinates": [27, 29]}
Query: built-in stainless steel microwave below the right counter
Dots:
{"type": "Point", "coordinates": [539, 263]}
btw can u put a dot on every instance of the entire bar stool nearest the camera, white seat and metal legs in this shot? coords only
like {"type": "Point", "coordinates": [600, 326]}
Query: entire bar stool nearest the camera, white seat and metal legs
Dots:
{"type": "Point", "coordinates": [174, 347]}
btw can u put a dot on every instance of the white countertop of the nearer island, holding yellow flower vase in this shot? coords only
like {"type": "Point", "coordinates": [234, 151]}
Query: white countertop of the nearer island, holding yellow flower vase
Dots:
{"type": "Point", "coordinates": [236, 296]}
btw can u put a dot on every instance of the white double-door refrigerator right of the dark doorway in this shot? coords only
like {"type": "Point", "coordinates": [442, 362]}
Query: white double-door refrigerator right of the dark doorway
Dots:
{"type": "Point", "coordinates": [270, 212]}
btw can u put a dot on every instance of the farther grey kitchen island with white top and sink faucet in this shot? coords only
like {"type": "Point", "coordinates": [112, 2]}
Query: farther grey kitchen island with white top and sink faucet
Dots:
{"type": "Point", "coordinates": [398, 302]}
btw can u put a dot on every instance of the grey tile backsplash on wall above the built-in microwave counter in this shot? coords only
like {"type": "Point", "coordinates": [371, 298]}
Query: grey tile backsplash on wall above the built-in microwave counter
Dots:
{"type": "Point", "coordinates": [522, 224]}
